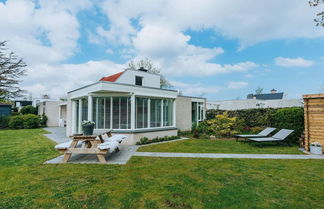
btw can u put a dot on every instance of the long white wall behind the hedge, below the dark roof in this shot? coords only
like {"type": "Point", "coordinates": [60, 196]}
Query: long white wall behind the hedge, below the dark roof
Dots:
{"type": "Point", "coordinates": [254, 103]}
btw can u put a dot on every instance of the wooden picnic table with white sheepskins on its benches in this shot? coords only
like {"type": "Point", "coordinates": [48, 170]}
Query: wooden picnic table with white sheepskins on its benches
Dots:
{"type": "Point", "coordinates": [99, 145]}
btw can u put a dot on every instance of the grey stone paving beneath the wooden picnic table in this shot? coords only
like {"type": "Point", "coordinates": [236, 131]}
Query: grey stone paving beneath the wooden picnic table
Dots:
{"type": "Point", "coordinates": [121, 157]}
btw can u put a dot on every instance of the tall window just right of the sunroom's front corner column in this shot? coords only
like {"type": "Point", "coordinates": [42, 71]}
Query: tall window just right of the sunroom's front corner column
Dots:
{"type": "Point", "coordinates": [141, 113]}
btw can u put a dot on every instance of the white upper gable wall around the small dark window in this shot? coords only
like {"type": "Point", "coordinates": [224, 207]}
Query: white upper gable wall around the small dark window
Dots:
{"type": "Point", "coordinates": [149, 79]}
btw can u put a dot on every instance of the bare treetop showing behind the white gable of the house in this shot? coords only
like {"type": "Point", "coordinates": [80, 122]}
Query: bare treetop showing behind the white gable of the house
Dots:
{"type": "Point", "coordinates": [149, 66]}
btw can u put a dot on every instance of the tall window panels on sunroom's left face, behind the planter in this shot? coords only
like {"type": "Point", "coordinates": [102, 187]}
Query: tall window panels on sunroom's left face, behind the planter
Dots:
{"type": "Point", "coordinates": [112, 112]}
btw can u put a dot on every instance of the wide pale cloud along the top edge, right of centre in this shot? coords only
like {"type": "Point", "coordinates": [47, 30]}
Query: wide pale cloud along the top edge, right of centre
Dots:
{"type": "Point", "coordinates": [246, 21]}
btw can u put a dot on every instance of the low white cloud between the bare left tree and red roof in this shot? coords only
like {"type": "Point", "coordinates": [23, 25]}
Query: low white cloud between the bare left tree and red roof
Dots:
{"type": "Point", "coordinates": [56, 80]}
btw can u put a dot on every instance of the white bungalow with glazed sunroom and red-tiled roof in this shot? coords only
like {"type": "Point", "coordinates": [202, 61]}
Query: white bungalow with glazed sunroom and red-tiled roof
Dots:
{"type": "Point", "coordinates": [132, 103]}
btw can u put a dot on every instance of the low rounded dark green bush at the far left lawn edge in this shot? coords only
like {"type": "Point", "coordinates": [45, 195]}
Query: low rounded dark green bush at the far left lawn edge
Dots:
{"type": "Point", "coordinates": [24, 121]}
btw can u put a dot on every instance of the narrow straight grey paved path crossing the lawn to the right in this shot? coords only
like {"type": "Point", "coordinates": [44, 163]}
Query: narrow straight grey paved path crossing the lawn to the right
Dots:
{"type": "Point", "coordinates": [210, 155]}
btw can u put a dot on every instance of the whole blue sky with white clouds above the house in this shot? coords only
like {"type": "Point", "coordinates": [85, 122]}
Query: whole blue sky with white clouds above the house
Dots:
{"type": "Point", "coordinates": [218, 49]}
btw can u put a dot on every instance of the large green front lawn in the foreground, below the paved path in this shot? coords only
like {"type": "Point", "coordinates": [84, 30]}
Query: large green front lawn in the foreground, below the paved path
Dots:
{"type": "Point", "coordinates": [151, 182]}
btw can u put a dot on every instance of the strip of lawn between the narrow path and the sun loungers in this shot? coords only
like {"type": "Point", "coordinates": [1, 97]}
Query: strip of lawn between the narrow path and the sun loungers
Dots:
{"type": "Point", "coordinates": [221, 146]}
